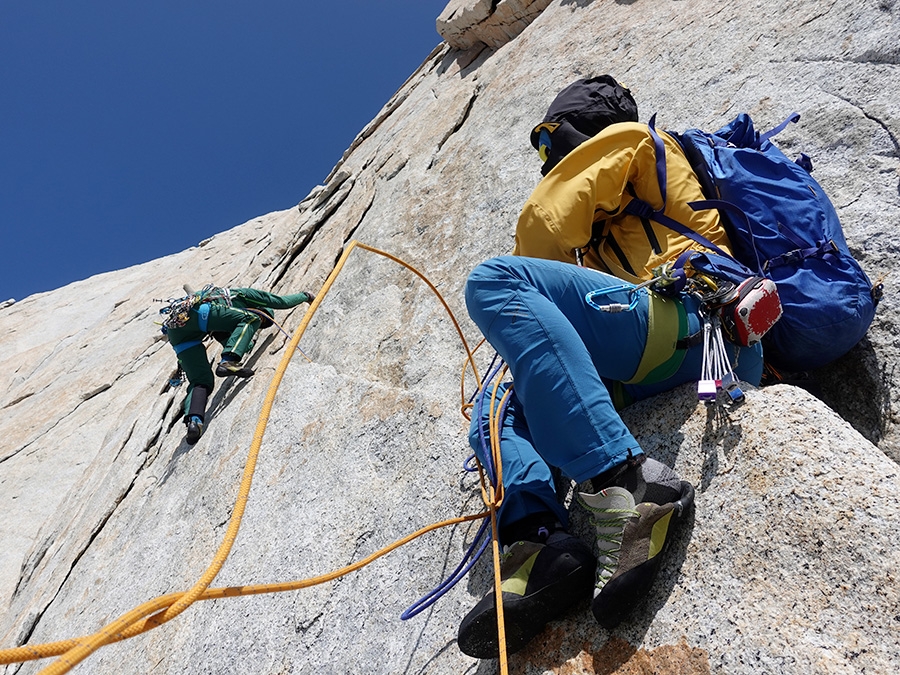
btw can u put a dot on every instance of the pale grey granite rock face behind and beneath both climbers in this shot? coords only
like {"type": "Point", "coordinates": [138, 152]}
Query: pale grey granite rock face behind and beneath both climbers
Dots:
{"type": "Point", "coordinates": [788, 563]}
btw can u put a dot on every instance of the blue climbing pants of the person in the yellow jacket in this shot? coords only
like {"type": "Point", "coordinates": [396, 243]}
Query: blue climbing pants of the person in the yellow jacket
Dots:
{"type": "Point", "coordinates": [563, 355]}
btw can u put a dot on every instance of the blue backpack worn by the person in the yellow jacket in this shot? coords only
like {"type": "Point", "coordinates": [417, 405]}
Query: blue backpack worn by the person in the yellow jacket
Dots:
{"type": "Point", "coordinates": [782, 226]}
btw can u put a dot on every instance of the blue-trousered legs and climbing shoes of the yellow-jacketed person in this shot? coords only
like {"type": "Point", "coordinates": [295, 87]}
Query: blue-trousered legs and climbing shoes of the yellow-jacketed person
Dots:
{"type": "Point", "coordinates": [564, 356]}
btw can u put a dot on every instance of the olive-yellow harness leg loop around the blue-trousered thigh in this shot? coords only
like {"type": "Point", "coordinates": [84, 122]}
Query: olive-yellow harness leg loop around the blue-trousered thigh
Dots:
{"type": "Point", "coordinates": [666, 323]}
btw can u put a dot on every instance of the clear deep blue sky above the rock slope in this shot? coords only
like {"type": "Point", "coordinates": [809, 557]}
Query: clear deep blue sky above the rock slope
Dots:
{"type": "Point", "coordinates": [132, 130]}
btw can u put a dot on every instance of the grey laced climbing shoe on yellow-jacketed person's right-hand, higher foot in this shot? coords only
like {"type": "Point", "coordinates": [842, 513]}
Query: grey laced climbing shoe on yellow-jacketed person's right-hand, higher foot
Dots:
{"type": "Point", "coordinates": [633, 517]}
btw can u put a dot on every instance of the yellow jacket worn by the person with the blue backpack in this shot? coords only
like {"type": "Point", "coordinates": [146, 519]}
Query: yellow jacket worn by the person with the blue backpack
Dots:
{"type": "Point", "coordinates": [579, 203]}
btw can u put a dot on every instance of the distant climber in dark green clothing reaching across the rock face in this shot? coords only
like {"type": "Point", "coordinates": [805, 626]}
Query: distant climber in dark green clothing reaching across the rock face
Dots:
{"type": "Point", "coordinates": [232, 317]}
